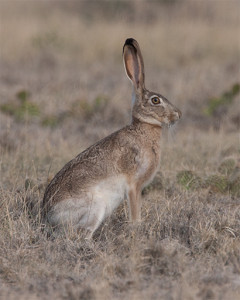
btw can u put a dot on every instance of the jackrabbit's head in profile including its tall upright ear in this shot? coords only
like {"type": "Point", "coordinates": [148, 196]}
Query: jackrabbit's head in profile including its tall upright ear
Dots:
{"type": "Point", "coordinates": [148, 107]}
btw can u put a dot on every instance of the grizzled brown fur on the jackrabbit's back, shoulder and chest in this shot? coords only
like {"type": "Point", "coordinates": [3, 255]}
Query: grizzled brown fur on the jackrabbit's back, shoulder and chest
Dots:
{"type": "Point", "coordinates": [125, 145]}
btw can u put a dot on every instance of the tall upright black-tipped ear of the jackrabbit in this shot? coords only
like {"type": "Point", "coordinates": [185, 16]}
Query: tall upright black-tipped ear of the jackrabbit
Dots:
{"type": "Point", "coordinates": [133, 63]}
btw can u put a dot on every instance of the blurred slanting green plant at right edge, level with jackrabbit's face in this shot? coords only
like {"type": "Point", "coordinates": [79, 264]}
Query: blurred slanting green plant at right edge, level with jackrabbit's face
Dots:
{"type": "Point", "coordinates": [223, 100]}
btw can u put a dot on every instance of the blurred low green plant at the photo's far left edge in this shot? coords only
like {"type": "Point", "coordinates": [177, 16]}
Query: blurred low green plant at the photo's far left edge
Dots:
{"type": "Point", "coordinates": [23, 108]}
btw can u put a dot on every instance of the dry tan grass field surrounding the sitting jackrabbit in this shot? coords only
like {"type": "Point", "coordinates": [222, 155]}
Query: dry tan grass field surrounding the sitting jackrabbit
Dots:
{"type": "Point", "coordinates": [68, 57]}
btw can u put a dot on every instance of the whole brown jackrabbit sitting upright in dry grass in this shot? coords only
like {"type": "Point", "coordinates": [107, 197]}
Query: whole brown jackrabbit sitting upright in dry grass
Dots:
{"type": "Point", "coordinates": [92, 185]}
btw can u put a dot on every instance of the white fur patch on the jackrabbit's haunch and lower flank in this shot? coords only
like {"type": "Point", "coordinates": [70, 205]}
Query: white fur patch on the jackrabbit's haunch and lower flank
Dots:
{"type": "Point", "coordinates": [93, 206]}
